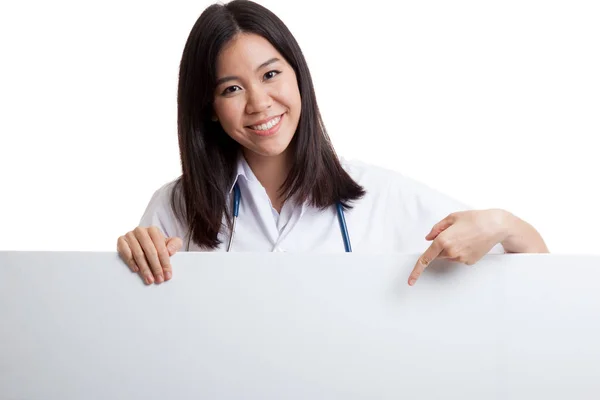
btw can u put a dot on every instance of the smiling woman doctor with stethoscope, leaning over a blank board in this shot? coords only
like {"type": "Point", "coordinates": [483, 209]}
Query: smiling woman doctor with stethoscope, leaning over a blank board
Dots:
{"type": "Point", "coordinates": [260, 173]}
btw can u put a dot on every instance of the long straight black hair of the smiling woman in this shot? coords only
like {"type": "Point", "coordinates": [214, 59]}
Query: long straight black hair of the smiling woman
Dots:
{"type": "Point", "coordinates": [209, 156]}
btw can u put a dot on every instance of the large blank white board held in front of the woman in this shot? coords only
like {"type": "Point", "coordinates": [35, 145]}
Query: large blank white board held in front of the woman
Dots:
{"type": "Point", "coordinates": [302, 326]}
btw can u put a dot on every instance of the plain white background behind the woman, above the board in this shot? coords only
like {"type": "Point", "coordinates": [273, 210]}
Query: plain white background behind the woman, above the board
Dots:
{"type": "Point", "coordinates": [494, 103]}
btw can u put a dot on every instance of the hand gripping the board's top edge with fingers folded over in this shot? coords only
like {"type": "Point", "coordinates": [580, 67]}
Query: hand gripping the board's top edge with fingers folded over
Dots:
{"type": "Point", "coordinates": [147, 251]}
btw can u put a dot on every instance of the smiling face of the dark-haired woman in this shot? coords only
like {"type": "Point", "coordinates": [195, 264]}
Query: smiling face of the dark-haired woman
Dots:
{"type": "Point", "coordinates": [256, 100]}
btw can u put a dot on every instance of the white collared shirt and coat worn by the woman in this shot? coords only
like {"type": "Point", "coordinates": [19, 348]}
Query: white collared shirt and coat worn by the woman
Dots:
{"type": "Point", "coordinates": [395, 215]}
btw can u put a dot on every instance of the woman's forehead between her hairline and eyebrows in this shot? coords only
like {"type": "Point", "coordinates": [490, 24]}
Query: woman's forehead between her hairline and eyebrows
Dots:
{"type": "Point", "coordinates": [245, 52]}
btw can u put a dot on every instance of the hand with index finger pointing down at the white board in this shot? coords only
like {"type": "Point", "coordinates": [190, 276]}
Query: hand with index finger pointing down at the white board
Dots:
{"type": "Point", "coordinates": [464, 237]}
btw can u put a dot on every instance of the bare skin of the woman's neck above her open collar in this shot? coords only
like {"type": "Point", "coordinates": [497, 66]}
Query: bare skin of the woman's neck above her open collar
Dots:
{"type": "Point", "coordinates": [271, 172]}
